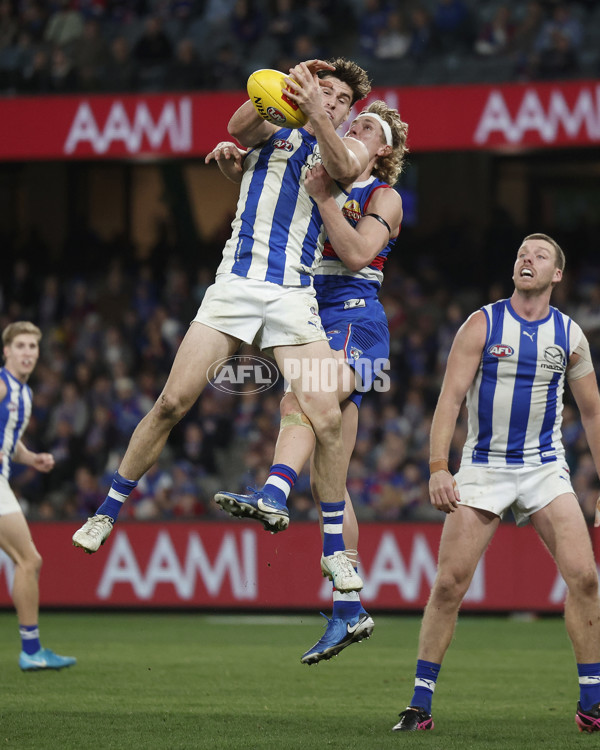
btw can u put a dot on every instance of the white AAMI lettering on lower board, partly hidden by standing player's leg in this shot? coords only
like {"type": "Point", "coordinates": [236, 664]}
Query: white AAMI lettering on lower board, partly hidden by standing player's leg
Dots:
{"type": "Point", "coordinates": [389, 569]}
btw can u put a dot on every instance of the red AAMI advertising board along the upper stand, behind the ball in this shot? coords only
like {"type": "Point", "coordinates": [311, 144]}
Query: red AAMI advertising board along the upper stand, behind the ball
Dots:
{"type": "Point", "coordinates": [508, 116]}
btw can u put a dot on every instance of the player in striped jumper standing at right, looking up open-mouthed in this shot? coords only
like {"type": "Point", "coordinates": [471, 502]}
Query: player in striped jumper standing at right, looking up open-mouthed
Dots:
{"type": "Point", "coordinates": [511, 360]}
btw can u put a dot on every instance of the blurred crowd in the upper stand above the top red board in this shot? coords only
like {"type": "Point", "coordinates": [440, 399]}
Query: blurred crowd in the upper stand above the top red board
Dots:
{"type": "Point", "coordinates": [68, 46]}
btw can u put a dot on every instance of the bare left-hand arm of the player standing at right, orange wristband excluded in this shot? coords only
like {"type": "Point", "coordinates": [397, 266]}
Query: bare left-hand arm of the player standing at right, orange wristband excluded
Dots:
{"type": "Point", "coordinates": [463, 361]}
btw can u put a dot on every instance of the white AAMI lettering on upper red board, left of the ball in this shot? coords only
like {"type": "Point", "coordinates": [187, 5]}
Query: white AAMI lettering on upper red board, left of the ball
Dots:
{"type": "Point", "coordinates": [174, 124]}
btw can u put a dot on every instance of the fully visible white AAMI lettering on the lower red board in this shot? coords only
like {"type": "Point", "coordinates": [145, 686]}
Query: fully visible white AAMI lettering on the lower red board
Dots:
{"type": "Point", "coordinates": [239, 566]}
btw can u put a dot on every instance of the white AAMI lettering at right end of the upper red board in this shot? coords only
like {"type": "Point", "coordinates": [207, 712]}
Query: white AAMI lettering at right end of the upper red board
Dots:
{"type": "Point", "coordinates": [583, 116]}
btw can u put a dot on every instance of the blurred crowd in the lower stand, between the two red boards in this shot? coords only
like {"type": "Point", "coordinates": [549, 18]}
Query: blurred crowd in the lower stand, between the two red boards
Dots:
{"type": "Point", "coordinates": [110, 335]}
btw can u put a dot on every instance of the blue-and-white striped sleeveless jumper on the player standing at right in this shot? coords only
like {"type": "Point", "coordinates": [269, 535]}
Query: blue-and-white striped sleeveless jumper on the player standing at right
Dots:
{"type": "Point", "coordinates": [515, 403]}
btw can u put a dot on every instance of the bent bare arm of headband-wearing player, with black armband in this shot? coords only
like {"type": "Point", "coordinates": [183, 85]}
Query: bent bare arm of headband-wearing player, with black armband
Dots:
{"type": "Point", "coordinates": [358, 246]}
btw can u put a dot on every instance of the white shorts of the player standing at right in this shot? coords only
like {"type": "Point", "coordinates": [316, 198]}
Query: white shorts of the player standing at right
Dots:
{"type": "Point", "coordinates": [523, 489]}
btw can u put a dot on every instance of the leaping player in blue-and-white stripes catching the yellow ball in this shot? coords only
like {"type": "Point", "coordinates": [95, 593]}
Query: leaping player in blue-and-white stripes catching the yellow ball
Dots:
{"type": "Point", "coordinates": [263, 292]}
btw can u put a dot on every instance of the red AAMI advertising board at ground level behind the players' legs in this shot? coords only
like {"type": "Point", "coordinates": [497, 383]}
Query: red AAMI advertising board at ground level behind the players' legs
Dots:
{"type": "Point", "coordinates": [237, 565]}
